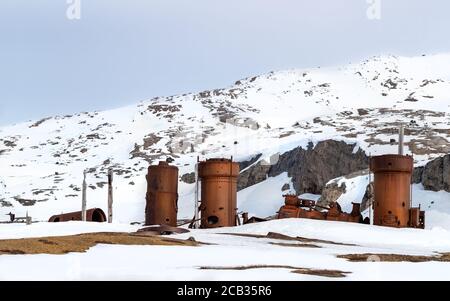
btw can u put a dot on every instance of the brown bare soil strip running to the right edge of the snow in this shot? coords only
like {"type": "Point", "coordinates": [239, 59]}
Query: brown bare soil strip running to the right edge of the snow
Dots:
{"type": "Point", "coordinates": [444, 257]}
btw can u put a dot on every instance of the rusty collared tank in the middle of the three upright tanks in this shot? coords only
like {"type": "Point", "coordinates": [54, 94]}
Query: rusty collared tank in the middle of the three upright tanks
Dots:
{"type": "Point", "coordinates": [218, 192]}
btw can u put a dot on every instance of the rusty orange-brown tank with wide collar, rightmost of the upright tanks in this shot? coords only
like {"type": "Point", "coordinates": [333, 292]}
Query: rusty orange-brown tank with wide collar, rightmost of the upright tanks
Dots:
{"type": "Point", "coordinates": [392, 188]}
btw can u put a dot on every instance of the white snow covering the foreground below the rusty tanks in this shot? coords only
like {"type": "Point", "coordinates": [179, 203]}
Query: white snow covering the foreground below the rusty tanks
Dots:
{"type": "Point", "coordinates": [112, 262]}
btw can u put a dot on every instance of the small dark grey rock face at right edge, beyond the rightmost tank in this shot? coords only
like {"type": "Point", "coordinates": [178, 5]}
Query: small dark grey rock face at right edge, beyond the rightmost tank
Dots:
{"type": "Point", "coordinates": [436, 174]}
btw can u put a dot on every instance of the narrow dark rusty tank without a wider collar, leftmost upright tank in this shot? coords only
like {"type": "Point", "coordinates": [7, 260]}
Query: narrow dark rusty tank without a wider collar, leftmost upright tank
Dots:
{"type": "Point", "coordinates": [162, 195]}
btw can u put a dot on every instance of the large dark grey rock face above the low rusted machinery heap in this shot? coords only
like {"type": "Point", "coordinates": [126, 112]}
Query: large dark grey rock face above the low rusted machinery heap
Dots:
{"type": "Point", "coordinates": [310, 168]}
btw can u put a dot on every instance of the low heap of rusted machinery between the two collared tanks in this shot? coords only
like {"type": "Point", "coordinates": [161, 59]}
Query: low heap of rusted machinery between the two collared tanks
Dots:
{"type": "Point", "coordinates": [298, 208]}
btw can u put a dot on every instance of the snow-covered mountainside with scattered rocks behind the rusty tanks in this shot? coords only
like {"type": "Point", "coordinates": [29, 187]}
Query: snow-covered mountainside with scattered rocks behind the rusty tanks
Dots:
{"type": "Point", "coordinates": [42, 162]}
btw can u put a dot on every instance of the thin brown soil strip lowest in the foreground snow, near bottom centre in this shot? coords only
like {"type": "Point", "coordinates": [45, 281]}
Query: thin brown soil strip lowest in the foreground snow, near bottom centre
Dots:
{"type": "Point", "coordinates": [297, 270]}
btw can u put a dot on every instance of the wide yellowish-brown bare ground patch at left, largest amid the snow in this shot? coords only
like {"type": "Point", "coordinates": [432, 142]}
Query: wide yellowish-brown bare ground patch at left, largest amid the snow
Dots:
{"type": "Point", "coordinates": [82, 242]}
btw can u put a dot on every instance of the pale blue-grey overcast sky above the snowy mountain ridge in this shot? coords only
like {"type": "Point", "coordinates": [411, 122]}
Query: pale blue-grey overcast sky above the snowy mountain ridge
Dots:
{"type": "Point", "coordinates": [124, 51]}
